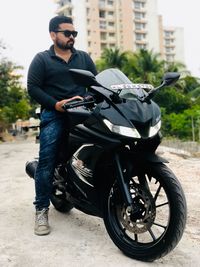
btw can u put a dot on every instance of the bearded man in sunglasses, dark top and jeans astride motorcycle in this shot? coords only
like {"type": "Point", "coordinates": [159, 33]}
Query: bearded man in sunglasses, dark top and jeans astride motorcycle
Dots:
{"type": "Point", "coordinates": [50, 84]}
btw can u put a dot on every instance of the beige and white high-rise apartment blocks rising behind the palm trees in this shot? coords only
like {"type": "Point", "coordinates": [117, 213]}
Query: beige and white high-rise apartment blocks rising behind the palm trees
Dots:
{"type": "Point", "coordinates": [125, 24]}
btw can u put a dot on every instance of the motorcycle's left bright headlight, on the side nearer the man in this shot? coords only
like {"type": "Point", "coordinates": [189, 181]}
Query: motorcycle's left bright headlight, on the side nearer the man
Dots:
{"type": "Point", "coordinates": [122, 130]}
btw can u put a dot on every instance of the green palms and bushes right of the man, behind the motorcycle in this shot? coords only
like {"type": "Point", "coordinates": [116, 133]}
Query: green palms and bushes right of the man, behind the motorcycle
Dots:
{"type": "Point", "coordinates": [180, 104]}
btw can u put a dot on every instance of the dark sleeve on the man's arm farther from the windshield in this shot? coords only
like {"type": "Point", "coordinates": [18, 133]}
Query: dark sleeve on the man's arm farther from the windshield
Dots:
{"type": "Point", "coordinates": [36, 77]}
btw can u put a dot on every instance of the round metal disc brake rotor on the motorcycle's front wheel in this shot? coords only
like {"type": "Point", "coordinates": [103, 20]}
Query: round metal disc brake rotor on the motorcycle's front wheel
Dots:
{"type": "Point", "coordinates": [139, 218]}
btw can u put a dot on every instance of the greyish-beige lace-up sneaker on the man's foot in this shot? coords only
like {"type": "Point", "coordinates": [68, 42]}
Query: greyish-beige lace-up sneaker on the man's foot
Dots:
{"type": "Point", "coordinates": [41, 222]}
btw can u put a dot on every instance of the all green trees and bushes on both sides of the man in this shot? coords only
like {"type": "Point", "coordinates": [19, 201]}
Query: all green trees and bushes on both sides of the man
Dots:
{"type": "Point", "coordinates": [180, 104]}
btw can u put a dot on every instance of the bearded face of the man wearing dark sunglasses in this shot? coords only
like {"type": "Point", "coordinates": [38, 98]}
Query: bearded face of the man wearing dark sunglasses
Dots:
{"type": "Point", "coordinates": [64, 37]}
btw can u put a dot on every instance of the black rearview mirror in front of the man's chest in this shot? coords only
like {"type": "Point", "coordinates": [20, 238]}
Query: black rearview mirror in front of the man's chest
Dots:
{"type": "Point", "coordinates": [83, 77]}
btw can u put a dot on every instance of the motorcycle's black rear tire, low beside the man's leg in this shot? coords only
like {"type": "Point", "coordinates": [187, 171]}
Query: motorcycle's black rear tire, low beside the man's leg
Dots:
{"type": "Point", "coordinates": [60, 202]}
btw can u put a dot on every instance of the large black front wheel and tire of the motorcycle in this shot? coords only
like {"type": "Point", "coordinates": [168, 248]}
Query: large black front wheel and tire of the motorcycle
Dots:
{"type": "Point", "coordinates": [151, 232]}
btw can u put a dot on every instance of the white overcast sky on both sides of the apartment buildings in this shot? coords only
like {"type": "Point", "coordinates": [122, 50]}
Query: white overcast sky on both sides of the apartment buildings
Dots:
{"type": "Point", "coordinates": [24, 28]}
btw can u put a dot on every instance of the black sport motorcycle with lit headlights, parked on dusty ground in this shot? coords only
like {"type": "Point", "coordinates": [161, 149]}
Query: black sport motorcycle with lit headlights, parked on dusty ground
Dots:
{"type": "Point", "coordinates": [112, 170]}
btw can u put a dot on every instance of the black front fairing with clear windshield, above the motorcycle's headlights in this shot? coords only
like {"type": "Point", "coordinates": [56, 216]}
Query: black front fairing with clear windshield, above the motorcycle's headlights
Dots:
{"type": "Point", "coordinates": [131, 112]}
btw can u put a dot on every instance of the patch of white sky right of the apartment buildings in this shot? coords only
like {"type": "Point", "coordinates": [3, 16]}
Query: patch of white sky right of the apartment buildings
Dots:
{"type": "Point", "coordinates": [186, 14]}
